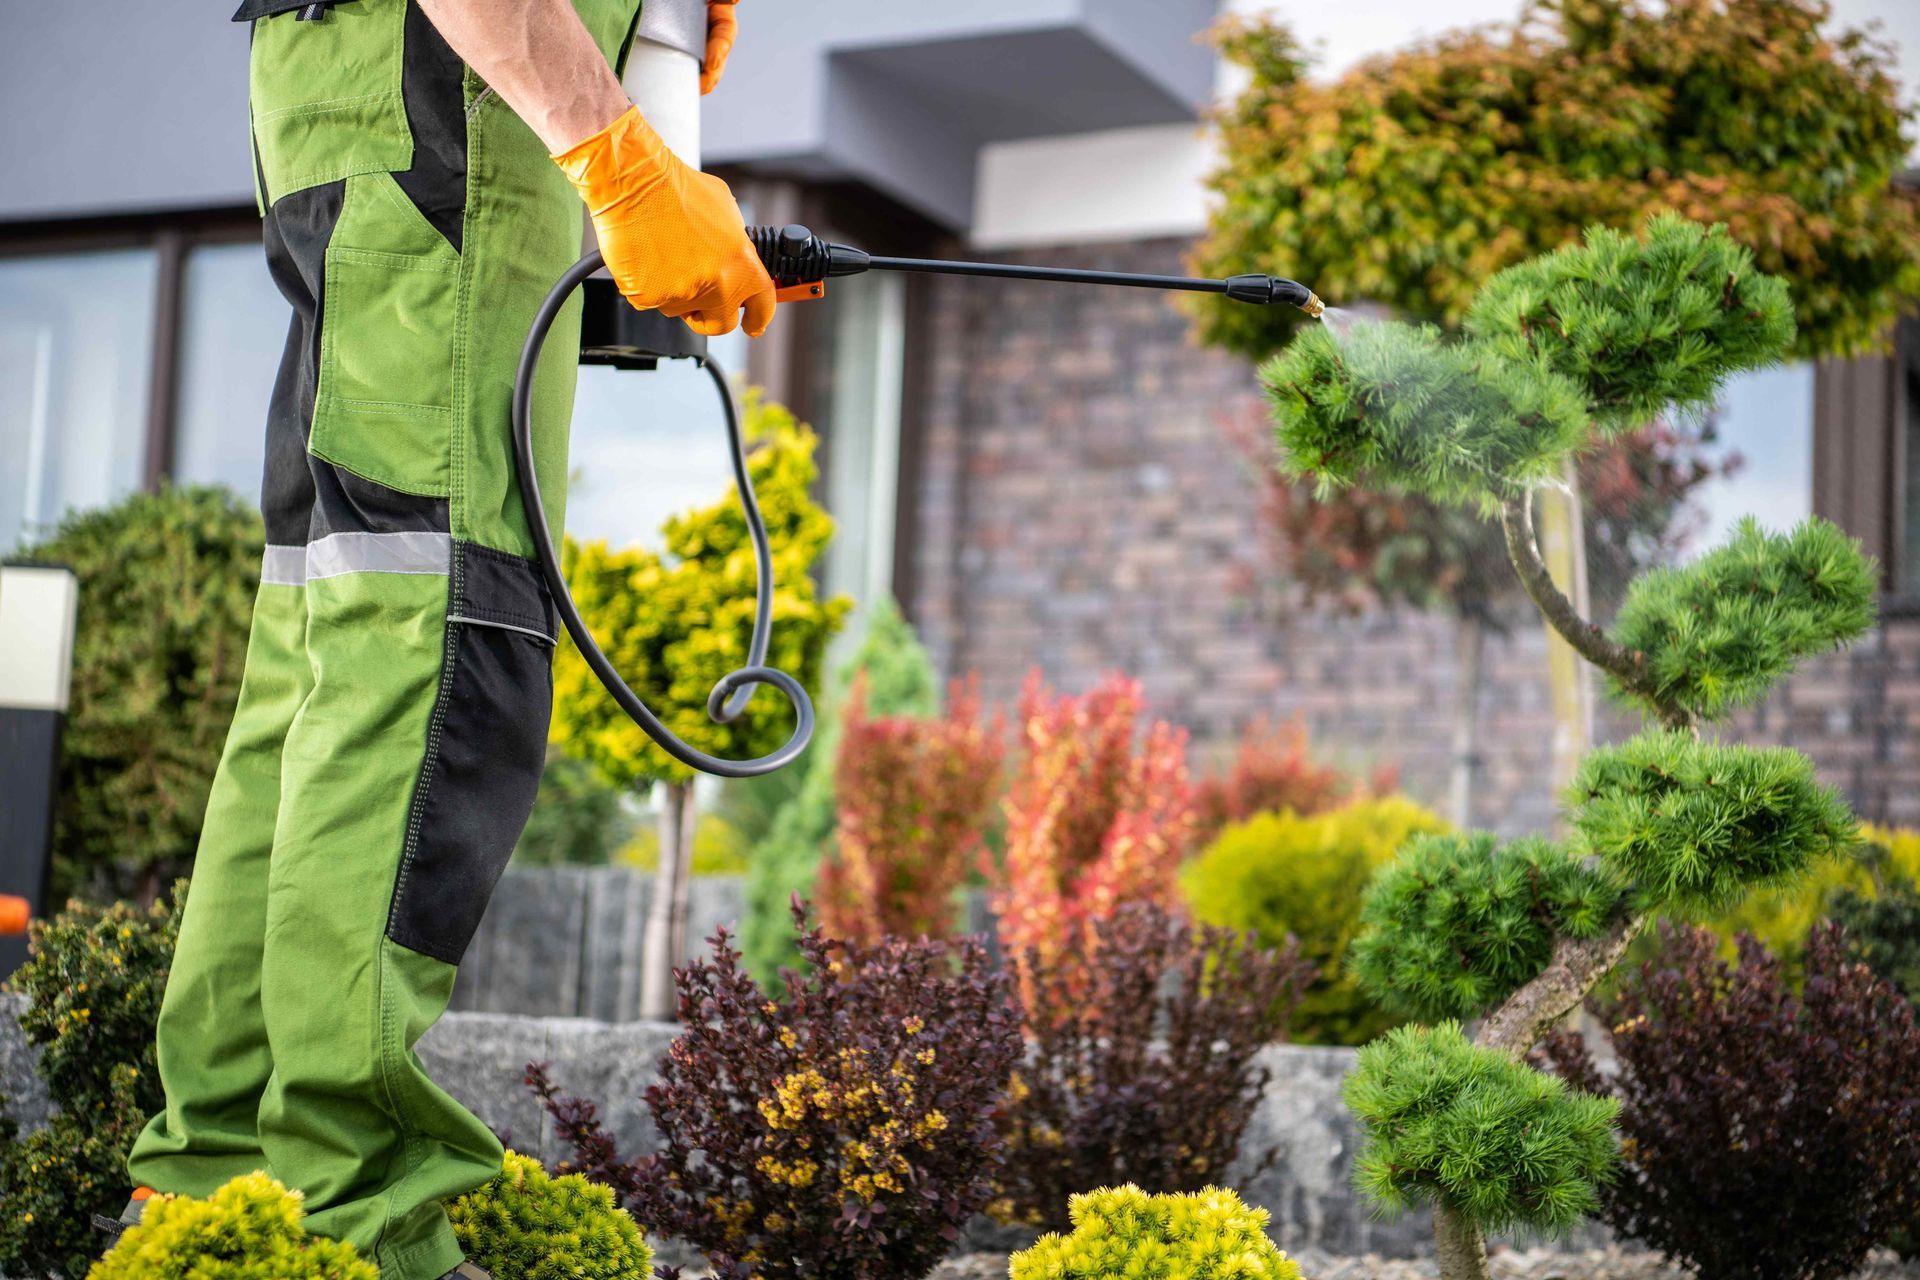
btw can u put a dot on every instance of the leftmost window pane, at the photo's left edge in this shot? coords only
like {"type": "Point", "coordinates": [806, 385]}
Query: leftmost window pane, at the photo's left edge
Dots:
{"type": "Point", "coordinates": [76, 364]}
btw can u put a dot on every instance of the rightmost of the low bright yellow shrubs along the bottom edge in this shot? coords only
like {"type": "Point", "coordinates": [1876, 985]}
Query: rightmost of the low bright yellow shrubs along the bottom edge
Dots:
{"type": "Point", "coordinates": [1122, 1233]}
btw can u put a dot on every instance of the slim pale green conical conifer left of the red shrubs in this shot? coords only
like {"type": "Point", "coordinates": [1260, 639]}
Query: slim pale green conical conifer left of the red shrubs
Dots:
{"type": "Point", "coordinates": [900, 682]}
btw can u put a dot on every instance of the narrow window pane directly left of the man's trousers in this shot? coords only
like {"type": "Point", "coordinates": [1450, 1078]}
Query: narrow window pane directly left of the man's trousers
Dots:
{"type": "Point", "coordinates": [233, 327]}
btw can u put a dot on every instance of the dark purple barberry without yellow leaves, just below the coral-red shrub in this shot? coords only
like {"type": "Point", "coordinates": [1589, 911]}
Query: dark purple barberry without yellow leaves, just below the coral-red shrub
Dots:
{"type": "Point", "coordinates": [1141, 1060]}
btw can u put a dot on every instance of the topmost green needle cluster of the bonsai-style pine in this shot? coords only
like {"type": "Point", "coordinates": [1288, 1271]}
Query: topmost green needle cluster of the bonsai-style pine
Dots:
{"type": "Point", "coordinates": [1644, 327]}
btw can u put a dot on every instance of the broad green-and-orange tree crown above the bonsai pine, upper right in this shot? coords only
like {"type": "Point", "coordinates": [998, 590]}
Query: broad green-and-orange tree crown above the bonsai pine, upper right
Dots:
{"type": "Point", "coordinates": [1414, 178]}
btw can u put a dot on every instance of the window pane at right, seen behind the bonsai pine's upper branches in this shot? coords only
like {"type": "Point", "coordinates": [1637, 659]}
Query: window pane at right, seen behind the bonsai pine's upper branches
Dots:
{"type": "Point", "coordinates": [1765, 419]}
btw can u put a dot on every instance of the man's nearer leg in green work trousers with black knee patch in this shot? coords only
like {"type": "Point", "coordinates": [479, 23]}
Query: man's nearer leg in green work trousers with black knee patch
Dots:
{"type": "Point", "coordinates": [416, 757]}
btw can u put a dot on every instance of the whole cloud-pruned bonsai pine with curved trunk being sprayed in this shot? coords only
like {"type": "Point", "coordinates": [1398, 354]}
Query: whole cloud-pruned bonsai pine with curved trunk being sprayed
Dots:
{"type": "Point", "coordinates": [1560, 354]}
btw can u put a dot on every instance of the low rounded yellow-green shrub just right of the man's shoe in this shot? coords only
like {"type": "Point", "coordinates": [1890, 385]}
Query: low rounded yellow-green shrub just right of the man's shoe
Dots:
{"type": "Point", "coordinates": [527, 1225]}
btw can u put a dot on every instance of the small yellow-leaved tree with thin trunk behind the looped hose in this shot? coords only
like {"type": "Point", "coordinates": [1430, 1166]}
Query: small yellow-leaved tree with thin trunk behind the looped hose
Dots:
{"type": "Point", "coordinates": [675, 625]}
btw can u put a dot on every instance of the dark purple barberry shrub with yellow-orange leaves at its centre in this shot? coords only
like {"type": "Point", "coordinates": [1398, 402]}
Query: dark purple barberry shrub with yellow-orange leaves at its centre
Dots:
{"type": "Point", "coordinates": [846, 1129]}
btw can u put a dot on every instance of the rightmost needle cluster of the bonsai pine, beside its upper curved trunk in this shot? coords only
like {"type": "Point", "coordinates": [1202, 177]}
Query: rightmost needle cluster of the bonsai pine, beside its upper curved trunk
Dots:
{"type": "Point", "coordinates": [1721, 630]}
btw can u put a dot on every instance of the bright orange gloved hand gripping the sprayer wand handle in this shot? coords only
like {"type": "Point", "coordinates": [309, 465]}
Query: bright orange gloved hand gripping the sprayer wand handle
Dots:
{"type": "Point", "coordinates": [671, 235]}
